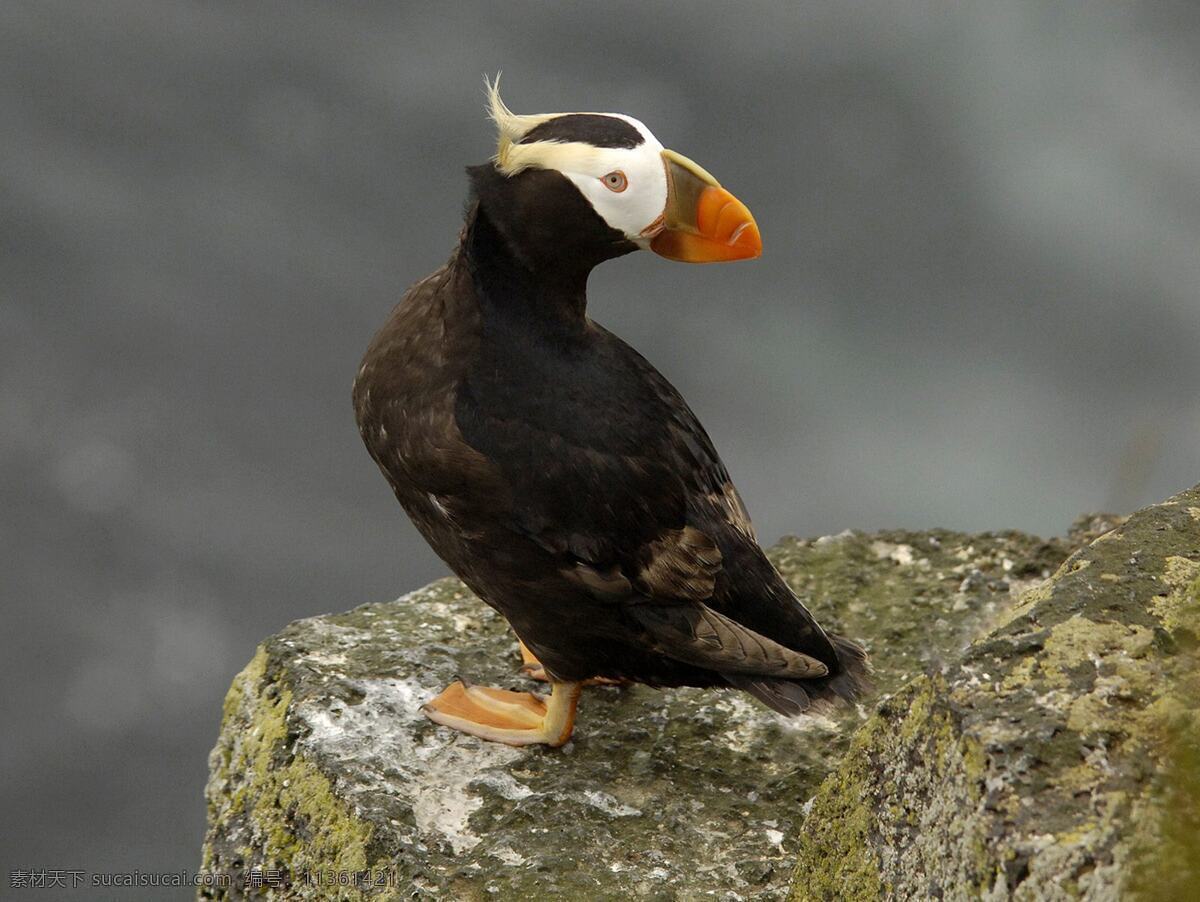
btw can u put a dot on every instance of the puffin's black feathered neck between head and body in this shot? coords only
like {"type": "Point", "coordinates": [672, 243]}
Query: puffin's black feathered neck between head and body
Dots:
{"type": "Point", "coordinates": [521, 287]}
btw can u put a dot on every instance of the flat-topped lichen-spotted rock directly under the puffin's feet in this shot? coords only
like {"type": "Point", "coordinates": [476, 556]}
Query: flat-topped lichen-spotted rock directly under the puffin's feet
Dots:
{"type": "Point", "coordinates": [326, 769]}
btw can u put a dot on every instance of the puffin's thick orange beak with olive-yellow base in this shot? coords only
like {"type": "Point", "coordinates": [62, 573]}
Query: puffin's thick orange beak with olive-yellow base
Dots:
{"type": "Point", "coordinates": [703, 221]}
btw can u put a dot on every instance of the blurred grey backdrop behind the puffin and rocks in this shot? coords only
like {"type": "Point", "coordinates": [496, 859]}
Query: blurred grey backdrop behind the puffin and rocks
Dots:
{"type": "Point", "coordinates": [979, 309]}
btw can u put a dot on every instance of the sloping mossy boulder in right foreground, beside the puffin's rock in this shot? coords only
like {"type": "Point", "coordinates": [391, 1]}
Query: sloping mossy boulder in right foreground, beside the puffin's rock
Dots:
{"type": "Point", "coordinates": [1059, 757]}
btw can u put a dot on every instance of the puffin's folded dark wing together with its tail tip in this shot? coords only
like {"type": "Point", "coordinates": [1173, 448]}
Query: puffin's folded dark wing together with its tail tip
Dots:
{"type": "Point", "coordinates": [611, 472]}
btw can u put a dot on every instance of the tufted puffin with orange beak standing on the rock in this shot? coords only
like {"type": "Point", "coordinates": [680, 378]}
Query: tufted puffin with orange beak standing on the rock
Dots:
{"type": "Point", "coordinates": [559, 473]}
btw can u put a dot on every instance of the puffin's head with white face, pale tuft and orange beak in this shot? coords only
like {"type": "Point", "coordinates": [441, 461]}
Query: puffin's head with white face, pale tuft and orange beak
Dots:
{"type": "Point", "coordinates": [644, 195]}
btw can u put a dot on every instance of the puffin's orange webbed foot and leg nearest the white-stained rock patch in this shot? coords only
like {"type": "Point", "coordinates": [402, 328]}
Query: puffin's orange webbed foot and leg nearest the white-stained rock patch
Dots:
{"type": "Point", "coordinates": [501, 715]}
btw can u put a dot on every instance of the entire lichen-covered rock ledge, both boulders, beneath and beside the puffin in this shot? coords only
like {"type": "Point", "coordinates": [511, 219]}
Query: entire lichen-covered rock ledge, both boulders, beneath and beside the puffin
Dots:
{"type": "Point", "coordinates": [1005, 766]}
